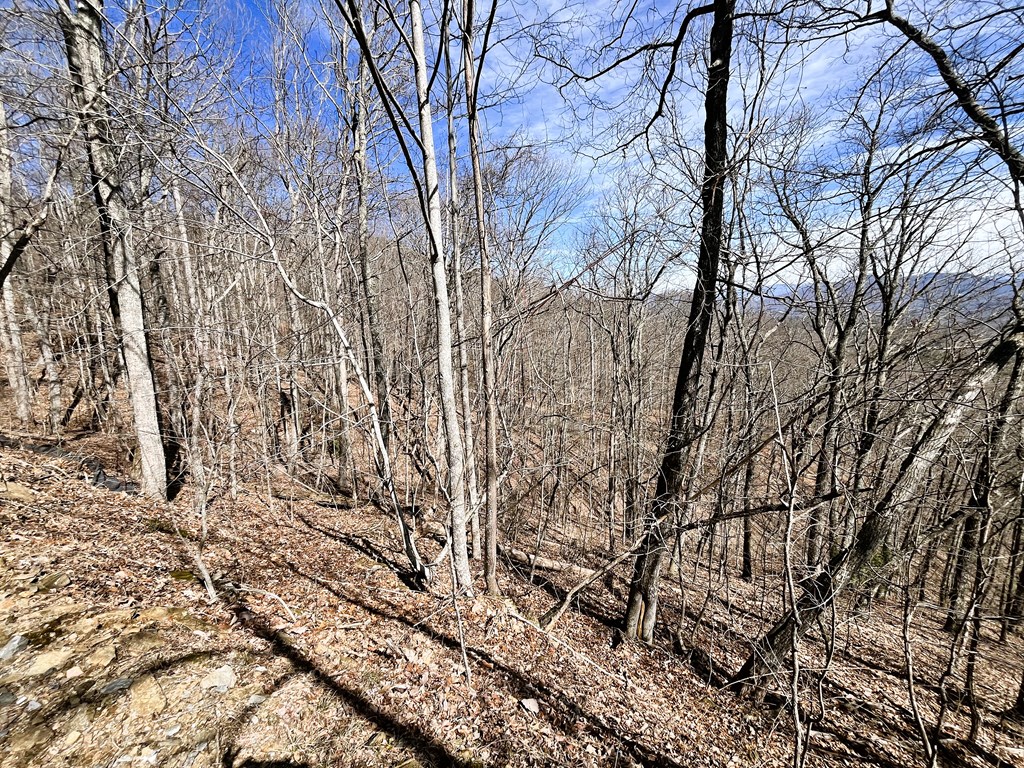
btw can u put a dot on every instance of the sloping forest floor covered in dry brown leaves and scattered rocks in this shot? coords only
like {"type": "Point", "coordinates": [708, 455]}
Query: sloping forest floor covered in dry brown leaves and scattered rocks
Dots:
{"type": "Point", "coordinates": [317, 654]}
